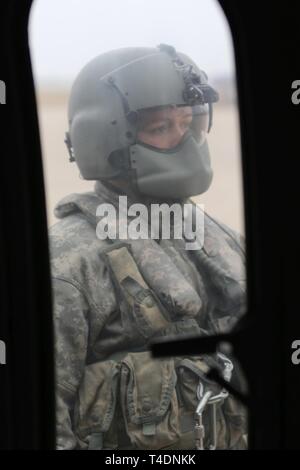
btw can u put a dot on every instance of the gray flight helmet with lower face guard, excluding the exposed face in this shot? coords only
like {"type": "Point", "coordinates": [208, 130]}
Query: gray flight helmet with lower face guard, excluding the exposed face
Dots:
{"type": "Point", "coordinates": [104, 107]}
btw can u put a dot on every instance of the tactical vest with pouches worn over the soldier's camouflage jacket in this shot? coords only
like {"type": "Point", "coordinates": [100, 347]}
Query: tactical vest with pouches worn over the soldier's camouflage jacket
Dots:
{"type": "Point", "coordinates": [133, 401]}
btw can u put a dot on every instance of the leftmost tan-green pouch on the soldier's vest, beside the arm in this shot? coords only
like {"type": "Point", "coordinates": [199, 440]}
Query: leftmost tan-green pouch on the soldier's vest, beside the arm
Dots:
{"type": "Point", "coordinates": [95, 404]}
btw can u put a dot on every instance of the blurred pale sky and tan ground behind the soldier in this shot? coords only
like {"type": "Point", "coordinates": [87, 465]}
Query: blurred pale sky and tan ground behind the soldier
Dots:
{"type": "Point", "coordinates": [66, 34]}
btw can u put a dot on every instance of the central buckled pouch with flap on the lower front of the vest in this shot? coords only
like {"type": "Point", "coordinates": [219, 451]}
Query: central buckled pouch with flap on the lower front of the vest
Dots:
{"type": "Point", "coordinates": [149, 400]}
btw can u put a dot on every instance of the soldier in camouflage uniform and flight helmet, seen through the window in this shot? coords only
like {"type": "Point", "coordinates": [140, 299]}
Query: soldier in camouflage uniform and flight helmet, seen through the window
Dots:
{"type": "Point", "coordinates": [138, 119]}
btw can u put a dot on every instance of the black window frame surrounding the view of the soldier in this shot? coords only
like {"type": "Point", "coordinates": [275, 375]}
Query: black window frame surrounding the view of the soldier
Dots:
{"type": "Point", "coordinates": [266, 38]}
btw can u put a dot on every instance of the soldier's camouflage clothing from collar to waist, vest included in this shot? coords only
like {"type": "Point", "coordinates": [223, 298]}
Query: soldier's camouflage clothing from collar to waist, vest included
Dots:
{"type": "Point", "coordinates": [107, 392]}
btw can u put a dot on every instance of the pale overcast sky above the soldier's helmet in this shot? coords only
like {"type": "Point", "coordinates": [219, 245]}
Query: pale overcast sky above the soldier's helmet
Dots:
{"type": "Point", "coordinates": [65, 34]}
